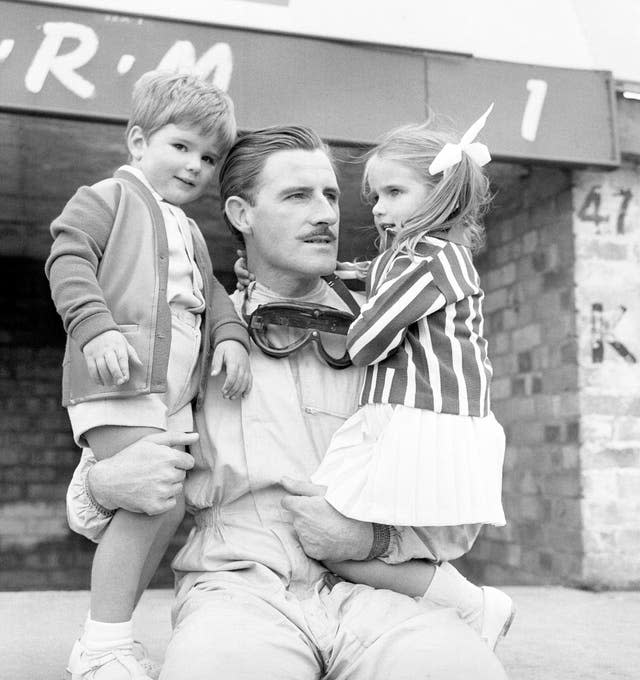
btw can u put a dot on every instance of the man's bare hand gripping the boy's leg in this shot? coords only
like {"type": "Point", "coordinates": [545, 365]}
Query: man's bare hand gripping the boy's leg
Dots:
{"type": "Point", "coordinates": [145, 477]}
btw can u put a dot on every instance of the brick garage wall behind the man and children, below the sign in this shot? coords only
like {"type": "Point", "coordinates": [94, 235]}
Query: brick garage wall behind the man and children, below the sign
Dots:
{"type": "Point", "coordinates": [572, 470]}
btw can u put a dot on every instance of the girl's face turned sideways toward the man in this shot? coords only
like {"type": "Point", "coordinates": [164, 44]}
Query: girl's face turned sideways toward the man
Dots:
{"type": "Point", "coordinates": [397, 192]}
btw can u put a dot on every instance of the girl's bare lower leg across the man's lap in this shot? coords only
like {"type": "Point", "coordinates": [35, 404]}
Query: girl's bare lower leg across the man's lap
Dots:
{"type": "Point", "coordinates": [409, 578]}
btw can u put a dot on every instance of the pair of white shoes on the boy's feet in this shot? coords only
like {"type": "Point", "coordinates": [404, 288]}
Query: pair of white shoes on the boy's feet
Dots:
{"type": "Point", "coordinates": [122, 663]}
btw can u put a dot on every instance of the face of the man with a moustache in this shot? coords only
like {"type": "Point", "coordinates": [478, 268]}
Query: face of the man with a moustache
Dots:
{"type": "Point", "coordinates": [294, 218]}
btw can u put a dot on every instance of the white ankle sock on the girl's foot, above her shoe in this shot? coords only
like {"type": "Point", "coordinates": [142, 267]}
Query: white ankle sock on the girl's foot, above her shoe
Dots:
{"type": "Point", "coordinates": [449, 588]}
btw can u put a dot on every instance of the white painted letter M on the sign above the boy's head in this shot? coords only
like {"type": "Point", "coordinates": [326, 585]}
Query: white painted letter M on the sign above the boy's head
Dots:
{"type": "Point", "coordinates": [215, 64]}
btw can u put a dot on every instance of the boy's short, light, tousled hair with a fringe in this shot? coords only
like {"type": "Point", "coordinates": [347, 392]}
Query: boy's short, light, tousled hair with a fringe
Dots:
{"type": "Point", "coordinates": [163, 98]}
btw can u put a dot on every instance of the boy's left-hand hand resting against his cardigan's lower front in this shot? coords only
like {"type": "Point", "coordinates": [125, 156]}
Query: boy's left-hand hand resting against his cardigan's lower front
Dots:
{"type": "Point", "coordinates": [107, 356]}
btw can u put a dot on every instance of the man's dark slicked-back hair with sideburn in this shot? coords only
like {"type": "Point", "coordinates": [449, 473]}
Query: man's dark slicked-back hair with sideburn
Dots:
{"type": "Point", "coordinates": [241, 169]}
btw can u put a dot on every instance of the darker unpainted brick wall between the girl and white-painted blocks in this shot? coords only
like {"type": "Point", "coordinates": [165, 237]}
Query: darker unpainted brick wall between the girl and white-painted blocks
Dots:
{"type": "Point", "coordinates": [527, 273]}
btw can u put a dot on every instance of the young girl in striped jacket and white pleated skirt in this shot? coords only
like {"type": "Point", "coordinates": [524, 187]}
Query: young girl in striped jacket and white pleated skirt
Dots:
{"type": "Point", "coordinates": [423, 454]}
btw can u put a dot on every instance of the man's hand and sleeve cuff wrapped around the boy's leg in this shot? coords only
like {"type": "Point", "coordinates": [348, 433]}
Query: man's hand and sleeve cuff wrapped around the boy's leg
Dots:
{"type": "Point", "coordinates": [145, 477]}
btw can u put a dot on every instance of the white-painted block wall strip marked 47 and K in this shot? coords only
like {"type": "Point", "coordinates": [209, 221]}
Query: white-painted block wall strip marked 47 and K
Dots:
{"type": "Point", "coordinates": [606, 226]}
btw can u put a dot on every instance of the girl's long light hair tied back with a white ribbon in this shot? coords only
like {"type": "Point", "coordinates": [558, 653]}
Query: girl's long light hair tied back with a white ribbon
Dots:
{"type": "Point", "coordinates": [460, 194]}
